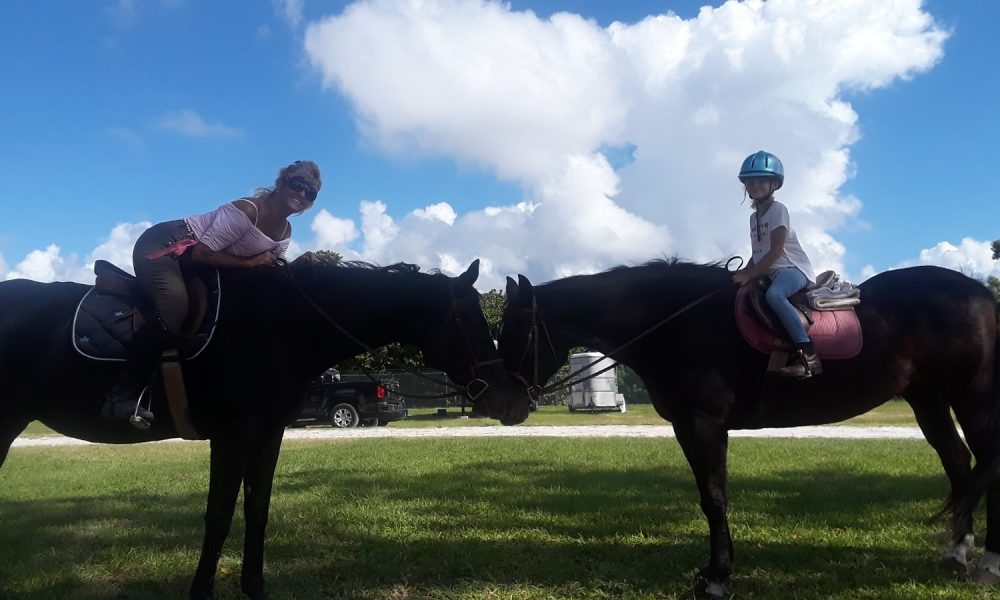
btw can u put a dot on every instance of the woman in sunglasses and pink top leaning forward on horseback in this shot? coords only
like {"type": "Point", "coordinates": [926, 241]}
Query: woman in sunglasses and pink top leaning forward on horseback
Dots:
{"type": "Point", "coordinates": [245, 233]}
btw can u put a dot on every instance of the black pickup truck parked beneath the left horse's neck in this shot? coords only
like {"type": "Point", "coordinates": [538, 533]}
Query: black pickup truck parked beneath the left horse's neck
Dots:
{"type": "Point", "coordinates": [352, 403]}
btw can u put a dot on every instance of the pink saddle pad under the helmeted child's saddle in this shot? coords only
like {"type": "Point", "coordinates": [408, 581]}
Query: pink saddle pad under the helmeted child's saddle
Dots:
{"type": "Point", "coordinates": [836, 334]}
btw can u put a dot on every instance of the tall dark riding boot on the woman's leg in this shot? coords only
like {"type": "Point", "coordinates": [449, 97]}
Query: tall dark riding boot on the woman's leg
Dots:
{"type": "Point", "coordinates": [122, 402]}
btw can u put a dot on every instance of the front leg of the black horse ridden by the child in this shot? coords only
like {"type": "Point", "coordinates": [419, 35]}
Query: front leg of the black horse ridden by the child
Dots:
{"type": "Point", "coordinates": [705, 443]}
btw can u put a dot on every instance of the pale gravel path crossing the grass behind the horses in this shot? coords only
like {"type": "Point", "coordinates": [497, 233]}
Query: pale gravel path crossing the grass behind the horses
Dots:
{"type": "Point", "coordinates": [645, 431]}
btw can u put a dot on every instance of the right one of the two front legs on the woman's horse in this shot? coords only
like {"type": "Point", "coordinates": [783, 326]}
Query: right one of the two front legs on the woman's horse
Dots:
{"type": "Point", "coordinates": [256, 501]}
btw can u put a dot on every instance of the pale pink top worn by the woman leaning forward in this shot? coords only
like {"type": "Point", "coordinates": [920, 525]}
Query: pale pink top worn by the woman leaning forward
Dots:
{"type": "Point", "coordinates": [228, 229]}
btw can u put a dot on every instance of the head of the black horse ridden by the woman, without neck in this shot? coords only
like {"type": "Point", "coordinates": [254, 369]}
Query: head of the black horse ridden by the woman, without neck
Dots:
{"type": "Point", "coordinates": [464, 349]}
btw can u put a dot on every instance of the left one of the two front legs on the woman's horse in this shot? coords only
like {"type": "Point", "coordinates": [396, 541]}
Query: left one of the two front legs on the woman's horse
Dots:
{"type": "Point", "coordinates": [229, 458]}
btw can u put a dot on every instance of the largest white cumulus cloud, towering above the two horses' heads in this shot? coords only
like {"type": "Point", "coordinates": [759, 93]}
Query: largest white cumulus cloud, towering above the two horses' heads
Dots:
{"type": "Point", "coordinates": [536, 100]}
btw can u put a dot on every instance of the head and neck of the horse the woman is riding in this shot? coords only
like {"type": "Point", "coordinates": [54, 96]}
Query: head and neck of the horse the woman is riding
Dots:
{"type": "Point", "coordinates": [441, 315]}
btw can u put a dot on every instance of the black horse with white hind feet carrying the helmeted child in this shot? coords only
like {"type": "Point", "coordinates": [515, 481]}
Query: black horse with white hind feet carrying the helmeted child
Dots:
{"type": "Point", "coordinates": [930, 336]}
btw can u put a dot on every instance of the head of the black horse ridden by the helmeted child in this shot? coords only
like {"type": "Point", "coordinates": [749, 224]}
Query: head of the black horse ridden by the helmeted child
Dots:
{"type": "Point", "coordinates": [525, 343]}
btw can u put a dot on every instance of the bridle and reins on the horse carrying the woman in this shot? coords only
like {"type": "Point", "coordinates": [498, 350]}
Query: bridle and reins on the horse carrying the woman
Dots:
{"type": "Point", "coordinates": [473, 389]}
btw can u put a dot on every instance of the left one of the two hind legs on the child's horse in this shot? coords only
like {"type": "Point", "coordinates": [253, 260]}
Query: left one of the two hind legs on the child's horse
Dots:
{"type": "Point", "coordinates": [935, 422]}
